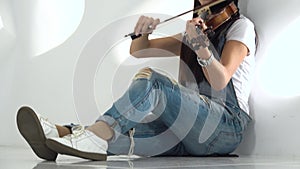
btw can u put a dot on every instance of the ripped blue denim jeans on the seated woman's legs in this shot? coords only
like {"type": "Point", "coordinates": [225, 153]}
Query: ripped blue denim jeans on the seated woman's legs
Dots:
{"type": "Point", "coordinates": [169, 119]}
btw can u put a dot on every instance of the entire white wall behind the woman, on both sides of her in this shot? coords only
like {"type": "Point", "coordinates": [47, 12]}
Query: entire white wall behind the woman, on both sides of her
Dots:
{"type": "Point", "coordinates": [45, 57]}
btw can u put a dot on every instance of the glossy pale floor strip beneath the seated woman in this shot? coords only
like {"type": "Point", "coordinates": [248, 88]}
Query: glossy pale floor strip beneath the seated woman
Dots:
{"type": "Point", "coordinates": [23, 158]}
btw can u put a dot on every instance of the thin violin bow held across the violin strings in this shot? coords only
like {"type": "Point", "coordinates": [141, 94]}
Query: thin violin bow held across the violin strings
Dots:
{"type": "Point", "coordinates": [198, 9]}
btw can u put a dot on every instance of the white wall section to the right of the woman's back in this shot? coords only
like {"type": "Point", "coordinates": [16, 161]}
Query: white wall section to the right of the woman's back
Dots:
{"type": "Point", "coordinates": [275, 97]}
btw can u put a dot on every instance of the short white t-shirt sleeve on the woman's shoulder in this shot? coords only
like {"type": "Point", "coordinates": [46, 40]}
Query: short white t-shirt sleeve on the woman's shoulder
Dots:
{"type": "Point", "coordinates": [243, 31]}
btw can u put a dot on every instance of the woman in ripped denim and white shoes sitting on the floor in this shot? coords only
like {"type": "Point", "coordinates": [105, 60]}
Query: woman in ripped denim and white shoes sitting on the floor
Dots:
{"type": "Point", "coordinates": [204, 114]}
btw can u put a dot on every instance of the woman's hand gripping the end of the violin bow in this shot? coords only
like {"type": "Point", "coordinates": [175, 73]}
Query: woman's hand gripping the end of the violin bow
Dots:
{"type": "Point", "coordinates": [145, 25]}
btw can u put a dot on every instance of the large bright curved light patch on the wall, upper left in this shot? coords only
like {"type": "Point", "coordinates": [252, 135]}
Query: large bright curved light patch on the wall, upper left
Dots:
{"type": "Point", "coordinates": [54, 22]}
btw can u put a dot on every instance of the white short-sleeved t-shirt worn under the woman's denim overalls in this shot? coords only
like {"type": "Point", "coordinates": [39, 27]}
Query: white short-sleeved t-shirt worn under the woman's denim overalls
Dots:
{"type": "Point", "coordinates": [243, 31]}
